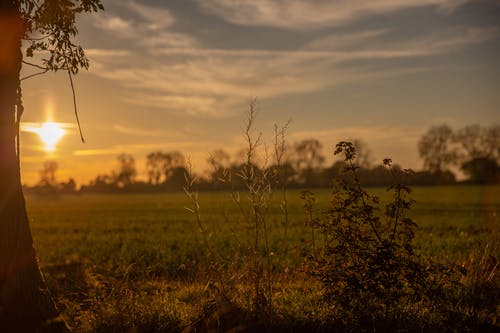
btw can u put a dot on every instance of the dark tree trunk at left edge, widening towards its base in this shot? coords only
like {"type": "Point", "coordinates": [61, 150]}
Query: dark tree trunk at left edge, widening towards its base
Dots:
{"type": "Point", "coordinates": [25, 302]}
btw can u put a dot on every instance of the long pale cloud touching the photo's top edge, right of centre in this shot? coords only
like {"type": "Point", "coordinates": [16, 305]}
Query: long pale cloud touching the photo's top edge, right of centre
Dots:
{"type": "Point", "coordinates": [310, 14]}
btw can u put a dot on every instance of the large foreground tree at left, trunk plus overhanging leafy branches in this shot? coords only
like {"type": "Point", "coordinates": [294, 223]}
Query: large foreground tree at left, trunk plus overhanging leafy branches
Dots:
{"type": "Point", "coordinates": [48, 26]}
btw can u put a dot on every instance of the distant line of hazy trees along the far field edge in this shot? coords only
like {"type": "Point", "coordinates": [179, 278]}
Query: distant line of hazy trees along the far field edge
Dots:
{"type": "Point", "coordinates": [473, 149]}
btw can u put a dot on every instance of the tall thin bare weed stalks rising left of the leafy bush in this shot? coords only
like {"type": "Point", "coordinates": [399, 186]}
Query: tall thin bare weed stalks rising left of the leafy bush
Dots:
{"type": "Point", "coordinates": [259, 182]}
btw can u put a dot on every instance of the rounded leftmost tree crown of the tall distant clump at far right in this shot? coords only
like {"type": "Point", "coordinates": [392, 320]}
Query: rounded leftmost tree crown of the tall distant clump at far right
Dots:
{"type": "Point", "coordinates": [436, 148]}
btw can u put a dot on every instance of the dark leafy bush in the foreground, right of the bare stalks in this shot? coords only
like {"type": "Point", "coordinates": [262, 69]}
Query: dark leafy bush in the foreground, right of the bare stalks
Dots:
{"type": "Point", "coordinates": [368, 265]}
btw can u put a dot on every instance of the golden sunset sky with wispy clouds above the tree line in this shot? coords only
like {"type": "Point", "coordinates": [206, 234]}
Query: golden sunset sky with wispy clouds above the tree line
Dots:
{"type": "Point", "coordinates": [178, 75]}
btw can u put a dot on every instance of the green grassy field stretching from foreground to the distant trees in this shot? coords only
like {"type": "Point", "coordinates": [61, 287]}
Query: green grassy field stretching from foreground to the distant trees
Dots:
{"type": "Point", "coordinates": [140, 262]}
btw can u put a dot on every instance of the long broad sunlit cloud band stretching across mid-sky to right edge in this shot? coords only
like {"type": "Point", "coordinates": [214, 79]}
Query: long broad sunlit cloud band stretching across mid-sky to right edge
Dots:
{"type": "Point", "coordinates": [202, 81]}
